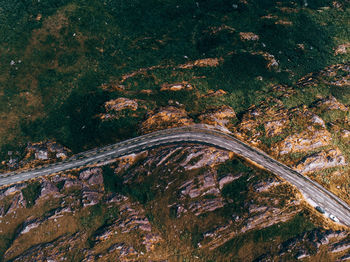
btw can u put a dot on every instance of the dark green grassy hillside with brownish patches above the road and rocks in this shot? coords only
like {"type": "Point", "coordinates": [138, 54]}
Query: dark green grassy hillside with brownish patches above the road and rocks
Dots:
{"type": "Point", "coordinates": [56, 54]}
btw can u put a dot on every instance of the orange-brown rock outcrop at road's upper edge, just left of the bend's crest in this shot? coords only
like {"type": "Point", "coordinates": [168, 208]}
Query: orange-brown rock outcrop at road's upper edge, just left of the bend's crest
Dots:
{"type": "Point", "coordinates": [166, 117]}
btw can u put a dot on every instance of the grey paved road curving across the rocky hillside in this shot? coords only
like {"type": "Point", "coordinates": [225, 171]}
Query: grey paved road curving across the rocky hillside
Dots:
{"type": "Point", "coordinates": [312, 191]}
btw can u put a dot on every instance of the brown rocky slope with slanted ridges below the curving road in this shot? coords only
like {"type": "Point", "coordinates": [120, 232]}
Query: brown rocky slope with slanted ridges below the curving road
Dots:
{"type": "Point", "coordinates": [169, 203]}
